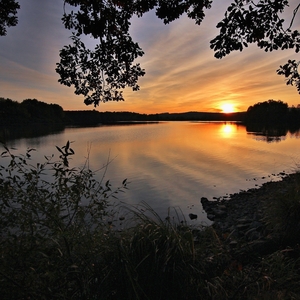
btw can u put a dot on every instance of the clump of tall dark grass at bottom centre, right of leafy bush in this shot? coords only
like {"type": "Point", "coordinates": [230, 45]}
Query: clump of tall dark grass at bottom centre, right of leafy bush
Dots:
{"type": "Point", "coordinates": [155, 259]}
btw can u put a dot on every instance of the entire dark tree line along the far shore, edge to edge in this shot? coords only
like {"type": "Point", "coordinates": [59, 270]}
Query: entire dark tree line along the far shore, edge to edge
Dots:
{"type": "Point", "coordinates": [270, 113]}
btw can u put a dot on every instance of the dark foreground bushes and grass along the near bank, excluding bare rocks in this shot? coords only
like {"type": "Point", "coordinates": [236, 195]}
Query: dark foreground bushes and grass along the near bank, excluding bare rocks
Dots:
{"type": "Point", "coordinates": [64, 237]}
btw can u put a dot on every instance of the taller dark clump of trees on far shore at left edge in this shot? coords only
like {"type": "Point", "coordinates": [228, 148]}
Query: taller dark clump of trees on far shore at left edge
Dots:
{"type": "Point", "coordinates": [30, 112]}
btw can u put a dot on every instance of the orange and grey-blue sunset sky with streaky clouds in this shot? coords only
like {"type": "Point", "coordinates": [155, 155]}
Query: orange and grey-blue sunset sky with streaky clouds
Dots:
{"type": "Point", "coordinates": [181, 72]}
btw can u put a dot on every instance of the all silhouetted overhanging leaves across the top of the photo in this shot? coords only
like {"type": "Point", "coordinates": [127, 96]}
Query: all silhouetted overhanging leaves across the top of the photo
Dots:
{"type": "Point", "coordinates": [100, 74]}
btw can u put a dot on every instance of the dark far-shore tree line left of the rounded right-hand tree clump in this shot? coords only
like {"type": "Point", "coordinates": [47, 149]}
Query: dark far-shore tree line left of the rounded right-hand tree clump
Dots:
{"type": "Point", "coordinates": [33, 111]}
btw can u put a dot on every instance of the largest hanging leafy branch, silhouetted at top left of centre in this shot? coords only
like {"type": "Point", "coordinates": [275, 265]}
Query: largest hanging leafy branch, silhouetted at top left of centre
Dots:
{"type": "Point", "coordinates": [102, 73]}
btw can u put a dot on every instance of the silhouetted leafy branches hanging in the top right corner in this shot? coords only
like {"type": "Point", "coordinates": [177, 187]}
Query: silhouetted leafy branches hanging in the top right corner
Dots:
{"type": "Point", "coordinates": [260, 22]}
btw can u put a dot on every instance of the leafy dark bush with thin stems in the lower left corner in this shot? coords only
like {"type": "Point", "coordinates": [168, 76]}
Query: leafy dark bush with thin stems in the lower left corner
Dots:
{"type": "Point", "coordinates": [53, 227]}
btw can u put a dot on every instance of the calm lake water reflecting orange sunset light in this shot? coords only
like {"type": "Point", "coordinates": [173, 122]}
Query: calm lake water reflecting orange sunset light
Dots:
{"type": "Point", "coordinates": [174, 164]}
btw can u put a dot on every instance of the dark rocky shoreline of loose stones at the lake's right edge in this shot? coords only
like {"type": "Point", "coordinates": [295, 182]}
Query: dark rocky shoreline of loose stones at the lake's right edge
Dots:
{"type": "Point", "coordinates": [241, 214]}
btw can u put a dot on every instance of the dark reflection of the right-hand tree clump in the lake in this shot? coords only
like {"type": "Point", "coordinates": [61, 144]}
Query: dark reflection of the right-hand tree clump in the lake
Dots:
{"type": "Point", "coordinates": [274, 133]}
